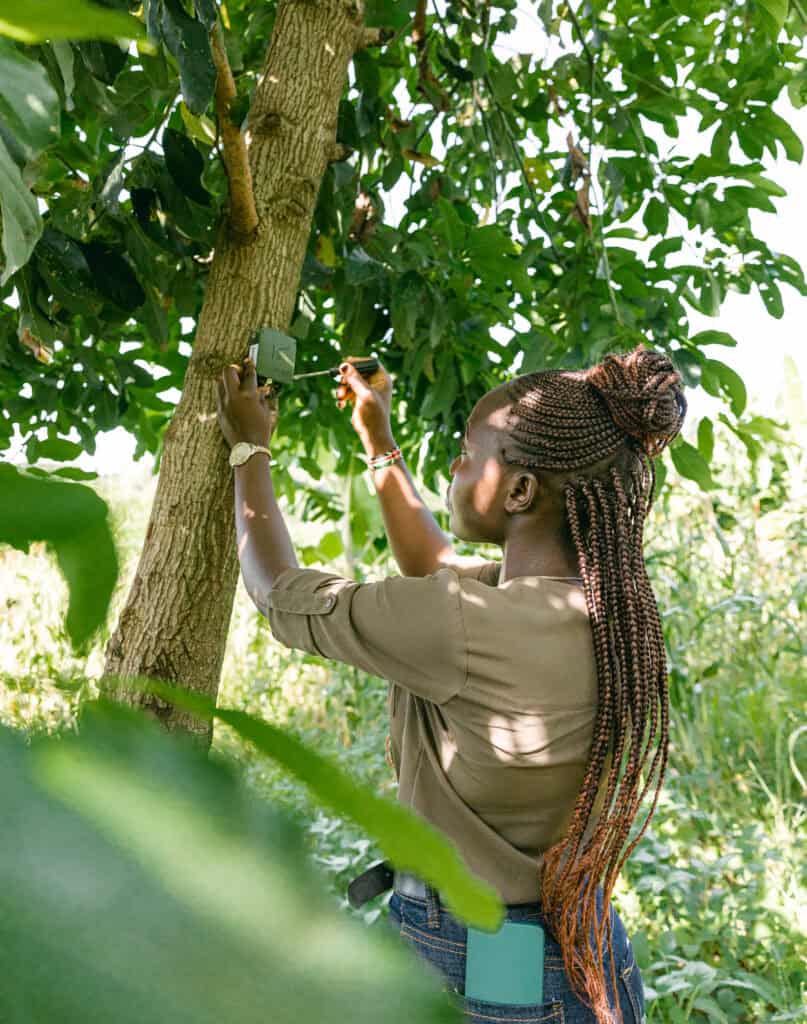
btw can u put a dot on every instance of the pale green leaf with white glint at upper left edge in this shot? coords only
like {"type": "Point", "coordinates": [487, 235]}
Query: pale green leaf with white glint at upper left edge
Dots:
{"type": "Point", "coordinates": [28, 102]}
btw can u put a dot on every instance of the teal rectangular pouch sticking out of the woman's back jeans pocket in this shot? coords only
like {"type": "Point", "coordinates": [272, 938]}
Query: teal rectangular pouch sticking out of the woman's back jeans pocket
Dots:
{"type": "Point", "coordinates": [506, 966]}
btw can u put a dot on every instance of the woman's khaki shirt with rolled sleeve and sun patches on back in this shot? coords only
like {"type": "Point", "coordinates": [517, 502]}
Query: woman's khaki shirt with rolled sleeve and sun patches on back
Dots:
{"type": "Point", "coordinates": [492, 700]}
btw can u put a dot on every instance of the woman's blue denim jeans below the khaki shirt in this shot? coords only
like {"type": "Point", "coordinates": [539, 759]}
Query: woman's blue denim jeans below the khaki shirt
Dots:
{"type": "Point", "coordinates": [440, 938]}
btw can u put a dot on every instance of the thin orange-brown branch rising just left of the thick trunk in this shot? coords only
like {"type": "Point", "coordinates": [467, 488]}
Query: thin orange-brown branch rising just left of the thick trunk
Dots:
{"type": "Point", "coordinates": [243, 216]}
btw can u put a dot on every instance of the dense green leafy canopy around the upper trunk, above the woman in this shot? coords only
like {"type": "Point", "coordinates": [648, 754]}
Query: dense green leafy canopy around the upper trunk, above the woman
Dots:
{"type": "Point", "coordinates": [539, 186]}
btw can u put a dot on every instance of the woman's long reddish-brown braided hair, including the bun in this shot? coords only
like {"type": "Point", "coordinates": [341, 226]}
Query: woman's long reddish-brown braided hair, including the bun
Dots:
{"type": "Point", "coordinates": [601, 430]}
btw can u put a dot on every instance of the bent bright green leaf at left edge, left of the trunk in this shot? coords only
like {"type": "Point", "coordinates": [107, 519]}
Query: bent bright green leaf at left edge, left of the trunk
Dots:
{"type": "Point", "coordinates": [73, 522]}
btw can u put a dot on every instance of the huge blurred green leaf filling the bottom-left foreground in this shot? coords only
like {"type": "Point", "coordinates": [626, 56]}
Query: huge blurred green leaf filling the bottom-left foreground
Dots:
{"type": "Point", "coordinates": [172, 892]}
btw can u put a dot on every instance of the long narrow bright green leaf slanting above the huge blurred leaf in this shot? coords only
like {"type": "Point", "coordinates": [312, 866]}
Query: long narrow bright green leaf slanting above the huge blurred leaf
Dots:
{"type": "Point", "coordinates": [411, 843]}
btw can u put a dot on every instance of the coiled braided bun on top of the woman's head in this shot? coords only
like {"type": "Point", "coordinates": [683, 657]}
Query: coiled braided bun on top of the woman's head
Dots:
{"type": "Point", "coordinates": [645, 397]}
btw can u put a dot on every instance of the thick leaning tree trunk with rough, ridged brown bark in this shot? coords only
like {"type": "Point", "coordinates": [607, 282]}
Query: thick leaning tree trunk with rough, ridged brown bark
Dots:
{"type": "Point", "coordinates": [176, 622]}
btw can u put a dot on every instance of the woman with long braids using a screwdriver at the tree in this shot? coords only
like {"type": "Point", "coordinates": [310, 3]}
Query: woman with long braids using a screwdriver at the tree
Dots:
{"type": "Point", "coordinates": [528, 696]}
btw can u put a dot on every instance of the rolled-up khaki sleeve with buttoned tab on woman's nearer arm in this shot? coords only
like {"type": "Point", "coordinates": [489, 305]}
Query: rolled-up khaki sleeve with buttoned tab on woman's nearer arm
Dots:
{"type": "Point", "coordinates": [407, 629]}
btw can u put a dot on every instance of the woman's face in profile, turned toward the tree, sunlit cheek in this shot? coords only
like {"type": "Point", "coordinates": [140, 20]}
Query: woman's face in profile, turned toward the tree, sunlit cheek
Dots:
{"type": "Point", "coordinates": [477, 492]}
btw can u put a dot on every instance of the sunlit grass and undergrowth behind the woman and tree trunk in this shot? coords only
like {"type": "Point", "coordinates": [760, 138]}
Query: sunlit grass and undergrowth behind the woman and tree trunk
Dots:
{"type": "Point", "coordinates": [715, 897]}
